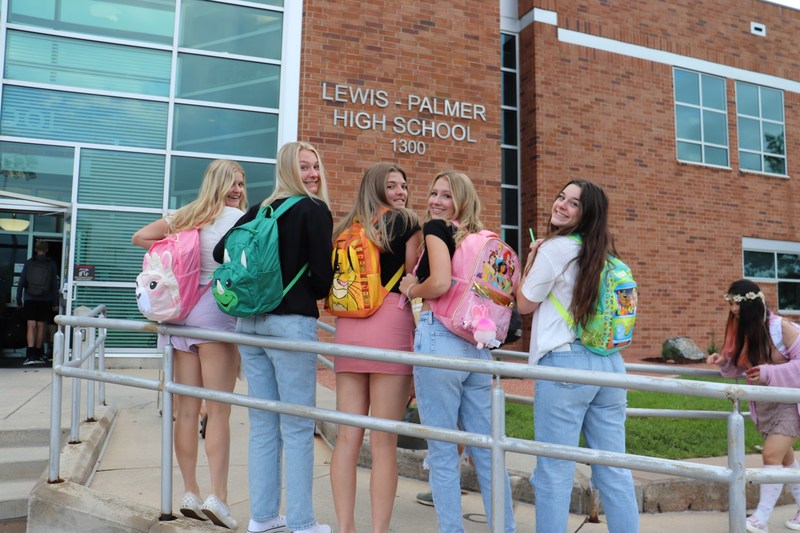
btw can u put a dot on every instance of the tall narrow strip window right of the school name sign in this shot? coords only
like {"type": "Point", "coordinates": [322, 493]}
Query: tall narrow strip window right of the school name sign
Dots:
{"type": "Point", "coordinates": [510, 141]}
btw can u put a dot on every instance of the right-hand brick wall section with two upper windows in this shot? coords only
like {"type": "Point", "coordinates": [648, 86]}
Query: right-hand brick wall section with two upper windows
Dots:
{"type": "Point", "coordinates": [610, 118]}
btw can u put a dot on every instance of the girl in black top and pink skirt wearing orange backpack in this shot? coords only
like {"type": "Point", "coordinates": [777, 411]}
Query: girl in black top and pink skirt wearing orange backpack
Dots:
{"type": "Point", "coordinates": [371, 387]}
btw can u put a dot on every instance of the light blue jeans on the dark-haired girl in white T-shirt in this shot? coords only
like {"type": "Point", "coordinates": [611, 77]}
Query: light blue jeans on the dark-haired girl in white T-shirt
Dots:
{"type": "Point", "coordinates": [561, 412]}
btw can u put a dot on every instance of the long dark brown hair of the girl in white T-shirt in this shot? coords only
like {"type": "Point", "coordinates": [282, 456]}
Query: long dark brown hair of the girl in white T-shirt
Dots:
{"type": "Point", "coordinates": [597, 245]}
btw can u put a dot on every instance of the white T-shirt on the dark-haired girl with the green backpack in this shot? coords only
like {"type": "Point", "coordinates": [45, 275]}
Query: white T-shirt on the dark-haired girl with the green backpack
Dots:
{"type": "Point", "coordinates": [553, 270]}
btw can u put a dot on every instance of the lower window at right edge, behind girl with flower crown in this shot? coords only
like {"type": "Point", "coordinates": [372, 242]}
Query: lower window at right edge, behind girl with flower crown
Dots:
{"type": "Point", "coordinates": [777, 262]}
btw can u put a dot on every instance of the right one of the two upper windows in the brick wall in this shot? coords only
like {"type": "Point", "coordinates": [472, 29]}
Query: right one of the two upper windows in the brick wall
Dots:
{"type": "Point", "coordinates": [762, 135]}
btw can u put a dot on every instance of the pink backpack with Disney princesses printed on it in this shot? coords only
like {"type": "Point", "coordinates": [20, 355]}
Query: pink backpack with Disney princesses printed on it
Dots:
{"type": "Point", "coordinates": [477, 307]}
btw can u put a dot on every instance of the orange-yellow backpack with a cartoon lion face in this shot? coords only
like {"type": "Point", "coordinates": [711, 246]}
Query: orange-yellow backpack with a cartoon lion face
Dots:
{"type": "Point", "coordinates": [356, 291]}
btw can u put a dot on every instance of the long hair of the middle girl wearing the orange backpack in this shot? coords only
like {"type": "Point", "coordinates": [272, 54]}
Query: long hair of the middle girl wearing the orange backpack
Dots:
{"type": "Point", "coordinates": [371, 202]}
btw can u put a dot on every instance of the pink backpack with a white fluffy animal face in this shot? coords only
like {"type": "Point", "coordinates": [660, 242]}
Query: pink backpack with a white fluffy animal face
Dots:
{"type": "Point", "coordinates": [169, 285]}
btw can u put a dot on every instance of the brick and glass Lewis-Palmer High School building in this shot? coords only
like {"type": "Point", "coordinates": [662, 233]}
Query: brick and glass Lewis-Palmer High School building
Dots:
{"type": "Point", "coordinates": [688, 113]}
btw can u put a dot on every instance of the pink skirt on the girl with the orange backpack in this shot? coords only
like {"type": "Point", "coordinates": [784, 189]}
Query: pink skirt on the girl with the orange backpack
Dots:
{"type": "Point", "coordinates": [391, 328]}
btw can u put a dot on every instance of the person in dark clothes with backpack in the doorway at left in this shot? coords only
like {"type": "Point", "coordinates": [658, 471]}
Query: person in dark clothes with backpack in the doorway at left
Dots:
{"type": "Point", "coordinates": [37, 295]}
